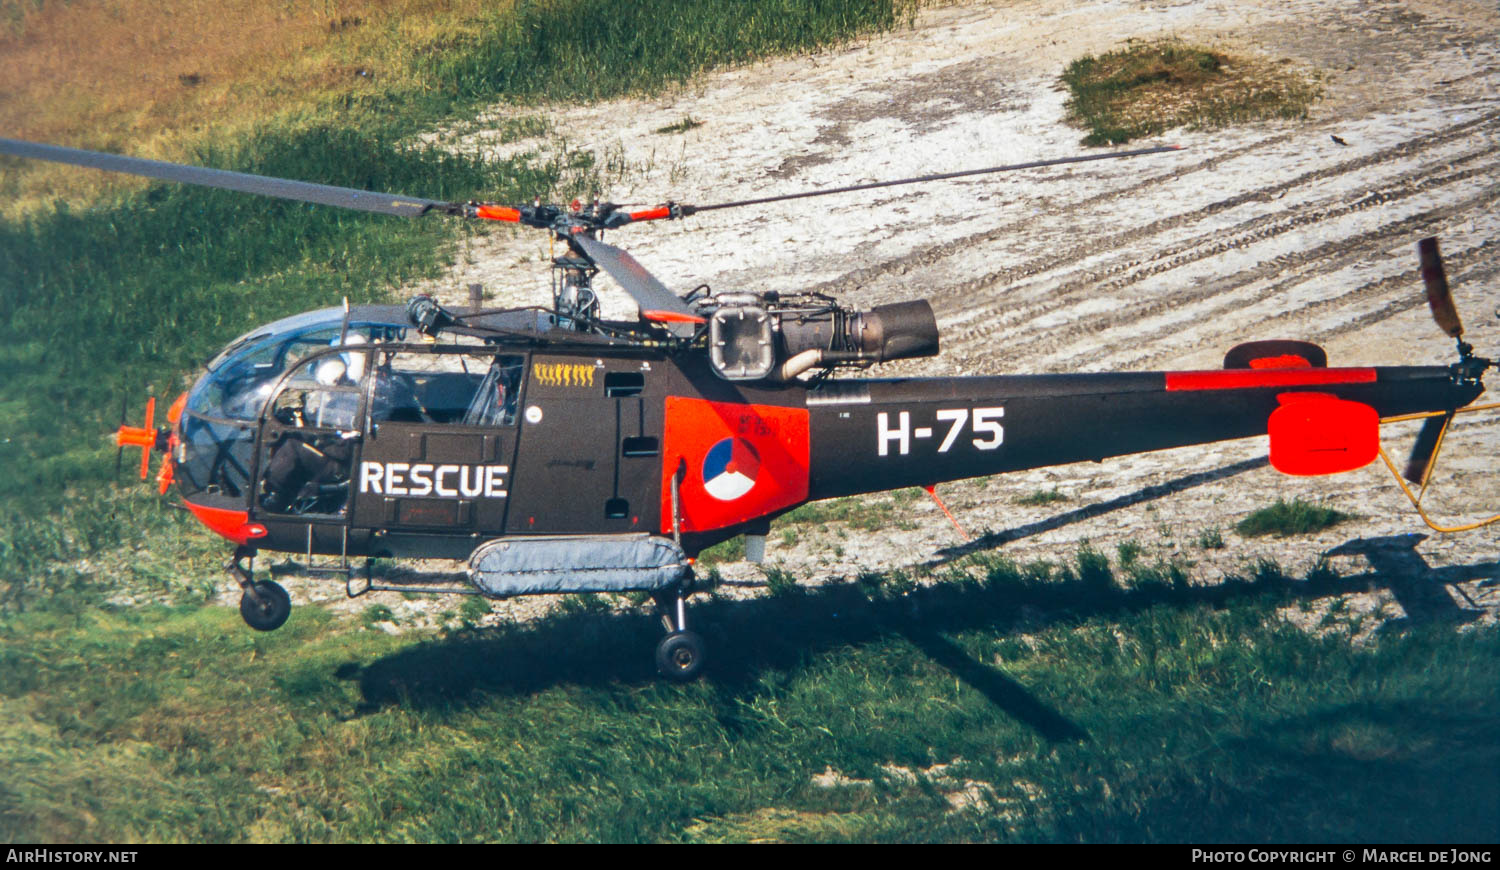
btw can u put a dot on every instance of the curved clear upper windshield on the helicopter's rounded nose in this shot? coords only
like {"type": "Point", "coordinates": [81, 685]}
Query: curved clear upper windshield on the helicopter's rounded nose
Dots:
{"type": "Point", "coordinates": [242, 377]}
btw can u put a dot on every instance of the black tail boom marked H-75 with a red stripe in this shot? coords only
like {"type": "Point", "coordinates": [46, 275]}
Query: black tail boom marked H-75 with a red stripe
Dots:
{"type": "Point", "coordinates": [880, 434]}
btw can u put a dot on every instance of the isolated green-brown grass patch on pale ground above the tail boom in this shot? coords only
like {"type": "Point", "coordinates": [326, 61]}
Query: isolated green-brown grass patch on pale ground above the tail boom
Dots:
{"type": "Point", "coordinates": [1148, 88]}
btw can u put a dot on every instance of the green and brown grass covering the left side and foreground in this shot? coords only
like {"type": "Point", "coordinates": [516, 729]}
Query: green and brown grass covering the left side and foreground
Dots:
{"type": "Point", "coordinates": [1091, 701]}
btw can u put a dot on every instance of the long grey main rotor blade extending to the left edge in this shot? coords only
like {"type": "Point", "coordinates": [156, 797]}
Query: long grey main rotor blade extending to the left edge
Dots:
{"type": "Point", "coordinates": [227, 181]}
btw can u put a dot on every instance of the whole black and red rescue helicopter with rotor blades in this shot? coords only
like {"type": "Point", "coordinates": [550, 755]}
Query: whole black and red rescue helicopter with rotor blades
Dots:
{"type": "Point", "coordinates": [560, 452]}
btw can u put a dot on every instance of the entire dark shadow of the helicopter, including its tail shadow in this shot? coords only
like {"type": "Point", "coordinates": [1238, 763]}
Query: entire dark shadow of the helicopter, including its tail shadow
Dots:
{"type": "Point", "coordinates": [758, 643]}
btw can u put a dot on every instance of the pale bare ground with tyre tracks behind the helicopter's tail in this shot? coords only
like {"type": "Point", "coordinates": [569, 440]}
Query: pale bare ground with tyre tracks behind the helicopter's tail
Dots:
{"type": "Point", "coordinates": [1268, 230]}
